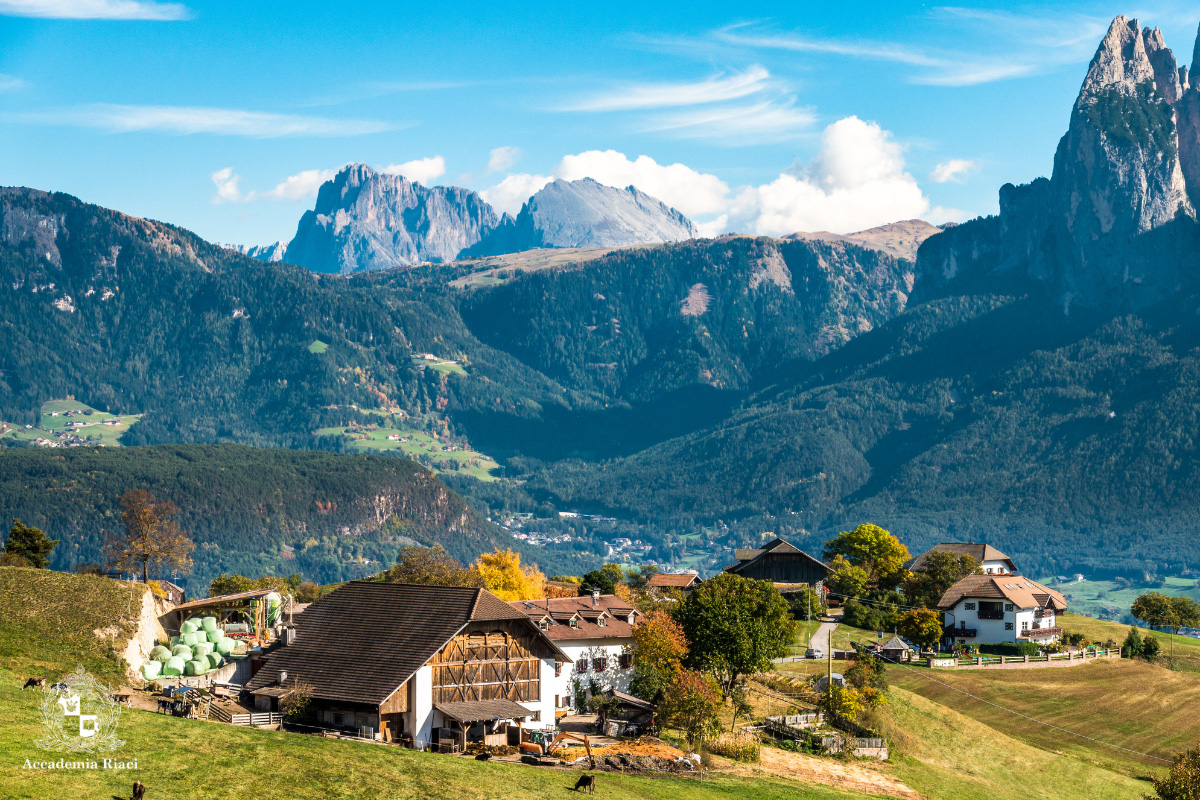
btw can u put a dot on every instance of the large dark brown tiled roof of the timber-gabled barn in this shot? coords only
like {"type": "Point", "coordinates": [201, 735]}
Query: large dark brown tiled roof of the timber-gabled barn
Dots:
{"type": "Point", "coordinates": [363, 641]}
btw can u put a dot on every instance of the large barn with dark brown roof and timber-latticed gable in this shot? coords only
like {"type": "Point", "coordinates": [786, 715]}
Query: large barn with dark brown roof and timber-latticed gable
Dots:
{"type": "Point", "coordinates": [425, 666]}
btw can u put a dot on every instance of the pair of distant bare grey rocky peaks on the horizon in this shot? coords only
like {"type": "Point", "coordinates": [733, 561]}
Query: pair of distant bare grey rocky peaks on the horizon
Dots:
{"type": "Point", "coordinates": [365, 220]}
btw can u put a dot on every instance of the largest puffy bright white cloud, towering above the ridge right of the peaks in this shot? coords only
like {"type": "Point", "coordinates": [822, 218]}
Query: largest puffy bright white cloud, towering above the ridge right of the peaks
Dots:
{"type": "Point", "coordinates": [856, 182]}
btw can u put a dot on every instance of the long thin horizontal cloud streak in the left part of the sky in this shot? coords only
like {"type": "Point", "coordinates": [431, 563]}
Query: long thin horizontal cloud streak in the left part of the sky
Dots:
{"type": "Point", "coordinates": [188, 121]}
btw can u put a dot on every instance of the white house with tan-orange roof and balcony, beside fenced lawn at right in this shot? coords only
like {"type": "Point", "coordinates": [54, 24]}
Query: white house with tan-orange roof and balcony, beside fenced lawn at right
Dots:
{"type": "Point", "coordinates": [992, 609]}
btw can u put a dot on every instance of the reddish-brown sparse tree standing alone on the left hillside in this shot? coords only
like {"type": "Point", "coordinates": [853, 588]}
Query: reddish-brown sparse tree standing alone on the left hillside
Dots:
{"type": "Point", "coordinates": [152, 537]}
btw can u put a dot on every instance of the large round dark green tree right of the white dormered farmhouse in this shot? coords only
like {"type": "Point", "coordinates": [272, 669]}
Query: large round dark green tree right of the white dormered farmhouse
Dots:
{"type": "Point", "coordinates": [735, 627]}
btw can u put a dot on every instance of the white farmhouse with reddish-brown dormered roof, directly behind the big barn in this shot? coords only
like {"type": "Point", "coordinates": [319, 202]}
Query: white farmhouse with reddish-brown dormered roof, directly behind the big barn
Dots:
{"type": "Point", "coordinates": [595, 634]}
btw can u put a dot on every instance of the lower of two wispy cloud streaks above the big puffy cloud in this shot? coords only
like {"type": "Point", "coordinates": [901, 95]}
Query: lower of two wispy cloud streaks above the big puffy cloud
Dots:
{"type": "Point", "coordinates": [765, 122]}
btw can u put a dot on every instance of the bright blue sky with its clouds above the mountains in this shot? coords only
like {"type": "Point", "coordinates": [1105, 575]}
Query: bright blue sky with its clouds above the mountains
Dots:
{"type": "Point", "coordinates": [763, 118]}
